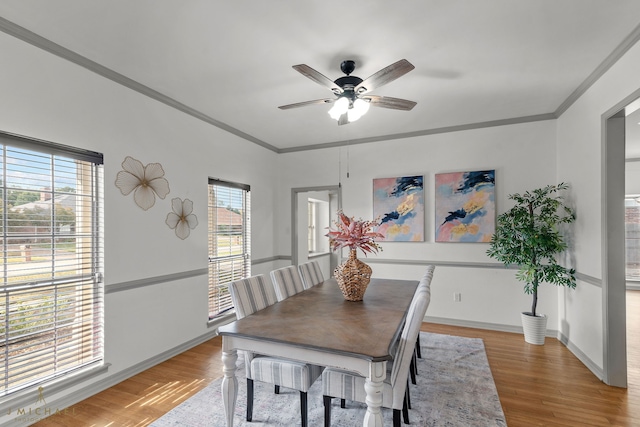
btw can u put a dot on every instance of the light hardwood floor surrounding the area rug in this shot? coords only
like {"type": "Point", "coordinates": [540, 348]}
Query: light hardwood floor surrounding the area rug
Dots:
{"type": "Point", "coordinates": [538, 385]}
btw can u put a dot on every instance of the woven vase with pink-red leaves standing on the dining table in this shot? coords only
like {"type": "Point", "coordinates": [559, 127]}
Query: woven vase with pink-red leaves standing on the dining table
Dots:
{"type": "Point", "coordinates": [353, 275]}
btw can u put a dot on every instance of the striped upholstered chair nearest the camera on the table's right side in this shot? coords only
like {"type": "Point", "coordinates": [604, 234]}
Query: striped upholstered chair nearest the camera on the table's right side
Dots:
{"type": "Point", "coordinates": [350, 385]}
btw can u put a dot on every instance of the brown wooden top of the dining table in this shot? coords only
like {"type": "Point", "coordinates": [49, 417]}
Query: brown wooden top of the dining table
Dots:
{"type": "Point", "coordinates": [320, 318]}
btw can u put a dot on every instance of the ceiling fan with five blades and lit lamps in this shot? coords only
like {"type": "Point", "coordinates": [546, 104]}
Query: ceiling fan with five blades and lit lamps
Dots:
{"type": "Point", "coordinates": [352, 100]}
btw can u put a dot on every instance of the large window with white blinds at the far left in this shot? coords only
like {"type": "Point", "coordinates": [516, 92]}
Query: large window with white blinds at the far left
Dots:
{"type": "Point", "coordinates": [51, 295]}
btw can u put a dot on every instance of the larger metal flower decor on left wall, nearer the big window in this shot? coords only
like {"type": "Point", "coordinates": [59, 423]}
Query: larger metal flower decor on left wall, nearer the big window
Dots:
{"type": "Point", "coordinates": [146, 182]}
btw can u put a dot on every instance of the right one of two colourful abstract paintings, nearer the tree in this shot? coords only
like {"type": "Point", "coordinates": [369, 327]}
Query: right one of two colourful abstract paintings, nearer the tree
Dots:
{"type": "Point", "coordinates": [465, 206]}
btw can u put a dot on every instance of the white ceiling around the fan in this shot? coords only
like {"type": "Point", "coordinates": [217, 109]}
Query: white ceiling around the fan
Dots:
{"type": "Point", "coordinates": [229, 62]}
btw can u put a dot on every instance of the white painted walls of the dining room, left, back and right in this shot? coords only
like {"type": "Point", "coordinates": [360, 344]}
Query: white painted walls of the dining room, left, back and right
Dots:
{"type": "Point", "coordinates": [46, 97]}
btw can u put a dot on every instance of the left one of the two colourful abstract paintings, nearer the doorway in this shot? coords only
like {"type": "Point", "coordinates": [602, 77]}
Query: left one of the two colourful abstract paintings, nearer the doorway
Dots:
{"type": "Point", "coordinates": [399, 203]}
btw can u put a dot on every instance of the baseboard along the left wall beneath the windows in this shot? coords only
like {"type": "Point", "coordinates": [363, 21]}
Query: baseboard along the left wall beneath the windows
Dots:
{"type": "Point", "coordinates": [79, 395]}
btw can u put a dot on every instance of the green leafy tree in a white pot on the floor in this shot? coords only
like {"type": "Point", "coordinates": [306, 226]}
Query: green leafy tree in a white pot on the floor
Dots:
{"type": "Point", "coordinates": [528, 236]}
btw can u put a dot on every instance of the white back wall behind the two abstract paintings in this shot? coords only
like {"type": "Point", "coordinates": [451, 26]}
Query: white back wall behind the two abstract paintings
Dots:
{"type": "Point", "coordinates": [523, 156]}
